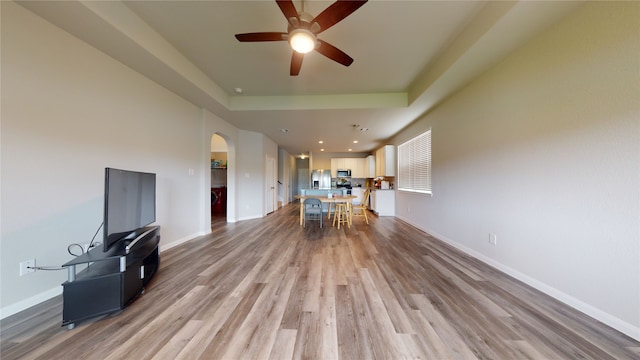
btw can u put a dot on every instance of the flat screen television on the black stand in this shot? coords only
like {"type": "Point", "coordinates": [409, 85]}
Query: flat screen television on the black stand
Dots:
{"type": "Point", "coordinates": [129, 204]}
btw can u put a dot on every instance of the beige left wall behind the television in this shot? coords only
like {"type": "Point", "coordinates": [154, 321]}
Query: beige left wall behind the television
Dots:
{"type": "Point", "coordinates": [69, 111]}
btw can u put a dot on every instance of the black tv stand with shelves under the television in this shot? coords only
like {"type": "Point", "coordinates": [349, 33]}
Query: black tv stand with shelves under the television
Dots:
{"type": "Point", "coordinates": [111, 280]}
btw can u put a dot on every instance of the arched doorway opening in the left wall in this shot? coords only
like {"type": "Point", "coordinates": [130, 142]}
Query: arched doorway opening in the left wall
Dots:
{"type": "Point", "coordinates": [219, 193]}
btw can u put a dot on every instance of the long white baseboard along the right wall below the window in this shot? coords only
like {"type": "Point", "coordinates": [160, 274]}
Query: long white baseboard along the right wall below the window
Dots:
{"type": "Point", "coordinates": [602, 316]}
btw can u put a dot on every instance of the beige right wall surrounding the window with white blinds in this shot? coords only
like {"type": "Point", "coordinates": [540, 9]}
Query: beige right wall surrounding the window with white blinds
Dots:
{"type": "Point", "coordinates": [544, 151]}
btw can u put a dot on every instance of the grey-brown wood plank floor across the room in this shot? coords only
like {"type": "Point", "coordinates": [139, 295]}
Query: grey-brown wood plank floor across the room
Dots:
{"type": "Point", "coordinates": [270, 289]}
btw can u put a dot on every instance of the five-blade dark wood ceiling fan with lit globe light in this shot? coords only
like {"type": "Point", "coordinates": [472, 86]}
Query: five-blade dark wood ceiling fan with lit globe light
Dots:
{"type": "Point", "coordinates": [303, 29]}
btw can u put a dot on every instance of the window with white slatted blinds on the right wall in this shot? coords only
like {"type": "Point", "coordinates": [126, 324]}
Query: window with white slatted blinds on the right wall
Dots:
{"type": "Point", "coordinates": [414, 164]}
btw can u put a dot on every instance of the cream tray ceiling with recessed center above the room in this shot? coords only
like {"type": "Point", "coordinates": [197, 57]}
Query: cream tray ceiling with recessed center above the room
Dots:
{"type": "Point", "coordinates": [408, 57]}
